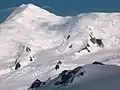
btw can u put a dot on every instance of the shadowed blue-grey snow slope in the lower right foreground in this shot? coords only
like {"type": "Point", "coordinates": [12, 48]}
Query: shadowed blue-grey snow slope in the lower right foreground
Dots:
{"type": "Point", "coordinates": [96, 77]}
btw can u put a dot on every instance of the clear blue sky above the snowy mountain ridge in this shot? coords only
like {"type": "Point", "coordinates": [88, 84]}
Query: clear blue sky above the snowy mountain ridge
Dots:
{"type": "Point", "coordinates": [64, 7]}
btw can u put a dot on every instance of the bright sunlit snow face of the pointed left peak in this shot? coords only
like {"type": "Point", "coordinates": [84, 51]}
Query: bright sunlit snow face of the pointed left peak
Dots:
{"type": "Point", "coordinates": [28, 26]}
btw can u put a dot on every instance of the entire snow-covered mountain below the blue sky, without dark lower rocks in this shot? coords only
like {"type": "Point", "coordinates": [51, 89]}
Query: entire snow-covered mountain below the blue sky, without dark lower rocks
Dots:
{"type": "Point", "coordinates": [76, 41]}
